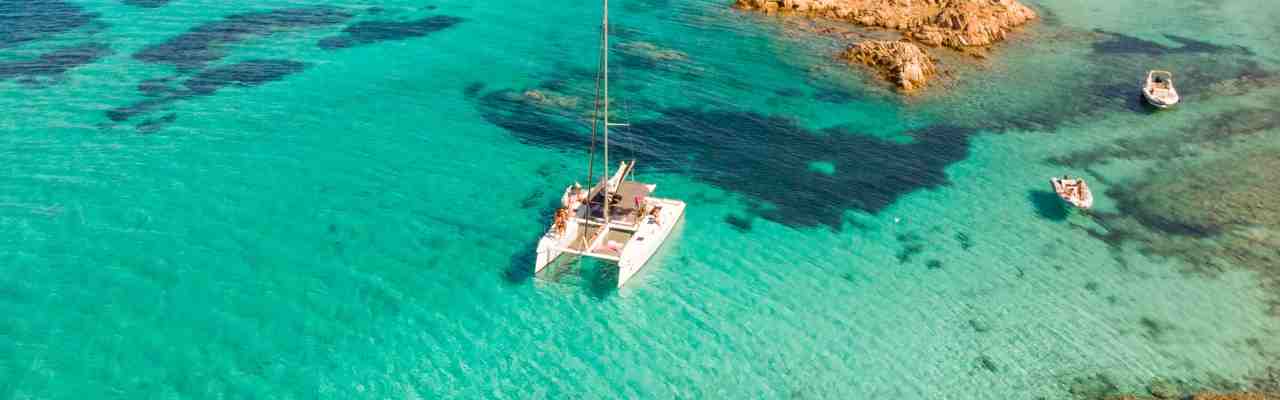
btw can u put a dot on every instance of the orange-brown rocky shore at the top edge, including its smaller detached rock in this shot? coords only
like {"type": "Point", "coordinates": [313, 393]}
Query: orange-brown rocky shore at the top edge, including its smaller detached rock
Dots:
{"type": "Point", "coordinates": [968, 26]}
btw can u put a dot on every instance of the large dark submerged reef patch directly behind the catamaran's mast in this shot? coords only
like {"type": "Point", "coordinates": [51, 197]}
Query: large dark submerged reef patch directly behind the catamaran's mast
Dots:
{"type": "Point", "coordinates": [766, 158]}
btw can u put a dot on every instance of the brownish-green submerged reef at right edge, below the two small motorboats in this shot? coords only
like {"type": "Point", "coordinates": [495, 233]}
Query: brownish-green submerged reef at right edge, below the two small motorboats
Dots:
{"type": "Point", "coordinates": [1215, 215]}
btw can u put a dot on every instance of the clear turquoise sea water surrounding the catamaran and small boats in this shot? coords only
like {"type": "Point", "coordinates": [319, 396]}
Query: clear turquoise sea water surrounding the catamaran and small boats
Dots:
{"type": "Point", "coordinates": [202, 199]}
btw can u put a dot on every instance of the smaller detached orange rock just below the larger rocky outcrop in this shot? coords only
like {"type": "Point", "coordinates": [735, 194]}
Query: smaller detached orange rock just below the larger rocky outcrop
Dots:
{"type": "Point", "coordinates": [902, 63]}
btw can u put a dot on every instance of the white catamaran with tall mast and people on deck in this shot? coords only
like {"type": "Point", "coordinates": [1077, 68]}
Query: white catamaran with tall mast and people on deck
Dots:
{"type": "Point", "coordinates": [615, 220]}
